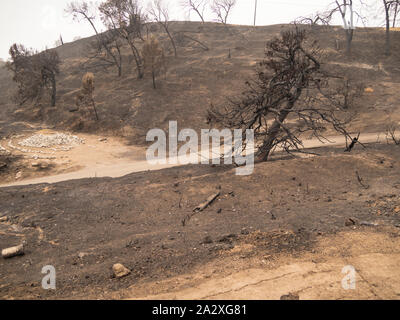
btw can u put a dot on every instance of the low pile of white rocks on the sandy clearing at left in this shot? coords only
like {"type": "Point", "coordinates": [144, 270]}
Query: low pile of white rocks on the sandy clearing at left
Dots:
{"type": "Point", "coordinates": [50, 140]}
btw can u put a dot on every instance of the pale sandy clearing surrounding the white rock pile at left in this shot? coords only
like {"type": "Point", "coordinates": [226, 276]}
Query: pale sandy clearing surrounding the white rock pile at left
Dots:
{"type": "Point", "coordinates": [97, 156]}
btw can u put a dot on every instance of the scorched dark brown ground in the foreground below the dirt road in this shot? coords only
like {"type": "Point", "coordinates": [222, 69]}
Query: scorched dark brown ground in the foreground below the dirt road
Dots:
{"type": "Point", "coordinates": [83, 227]}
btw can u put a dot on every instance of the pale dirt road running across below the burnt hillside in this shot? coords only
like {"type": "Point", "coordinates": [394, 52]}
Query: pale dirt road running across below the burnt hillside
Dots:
{"type": "Point", "coordinates": [111, 158]}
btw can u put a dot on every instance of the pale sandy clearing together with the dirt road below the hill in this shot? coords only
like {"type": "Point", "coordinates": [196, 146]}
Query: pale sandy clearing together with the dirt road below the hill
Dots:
{"type": "Point", "coordinates": [111, 157]}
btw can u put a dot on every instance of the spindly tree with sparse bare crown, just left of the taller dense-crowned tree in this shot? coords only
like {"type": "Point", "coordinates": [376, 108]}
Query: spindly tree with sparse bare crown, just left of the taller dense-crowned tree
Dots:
{"type": "Point", "coordinates": [107, 48]}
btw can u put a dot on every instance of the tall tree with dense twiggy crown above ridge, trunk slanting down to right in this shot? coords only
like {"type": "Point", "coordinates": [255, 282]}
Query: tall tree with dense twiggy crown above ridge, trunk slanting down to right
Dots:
{"type": "Point", "coordinates": [125, 18]}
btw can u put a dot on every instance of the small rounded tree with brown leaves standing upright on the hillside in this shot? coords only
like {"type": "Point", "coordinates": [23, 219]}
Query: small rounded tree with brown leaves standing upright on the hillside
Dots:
{"type": "Point", "coordinates": [154, 60]}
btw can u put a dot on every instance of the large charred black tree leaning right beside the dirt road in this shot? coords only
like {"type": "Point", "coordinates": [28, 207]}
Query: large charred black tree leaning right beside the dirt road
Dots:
{"type": "Point", "coordinates": [289, 85]}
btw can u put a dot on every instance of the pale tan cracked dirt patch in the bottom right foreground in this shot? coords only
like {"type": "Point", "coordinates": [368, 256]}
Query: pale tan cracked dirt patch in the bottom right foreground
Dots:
{"type": "Point", "coordinates": [314, 275]}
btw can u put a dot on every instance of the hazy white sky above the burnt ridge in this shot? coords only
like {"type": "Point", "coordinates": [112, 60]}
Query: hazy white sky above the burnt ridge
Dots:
{"type": "Point", "coordinates": [39, 23]}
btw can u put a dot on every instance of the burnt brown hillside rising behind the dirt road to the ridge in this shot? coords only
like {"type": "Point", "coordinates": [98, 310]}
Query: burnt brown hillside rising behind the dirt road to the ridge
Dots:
{"type": "Point", "coordinates": [196, 78]}
